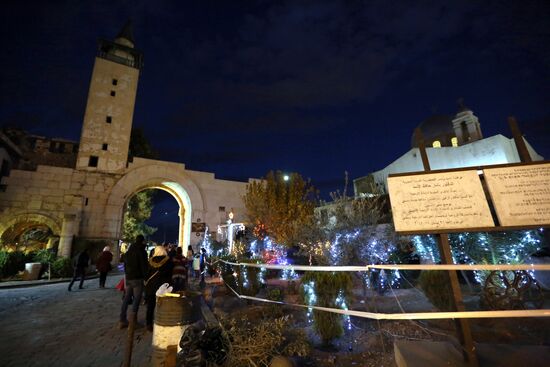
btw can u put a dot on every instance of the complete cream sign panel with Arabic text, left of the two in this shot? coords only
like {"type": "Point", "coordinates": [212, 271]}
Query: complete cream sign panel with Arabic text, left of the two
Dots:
{"type": "Point", "coordinates": [438, 202]}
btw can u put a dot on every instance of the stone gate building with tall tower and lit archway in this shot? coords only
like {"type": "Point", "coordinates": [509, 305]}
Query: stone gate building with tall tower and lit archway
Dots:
{"type": "Point", "coordinates": [84, 193]}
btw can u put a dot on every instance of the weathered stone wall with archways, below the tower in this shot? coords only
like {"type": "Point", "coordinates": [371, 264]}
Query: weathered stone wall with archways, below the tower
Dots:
{"type": "Point", "coordinates": [89, 204]}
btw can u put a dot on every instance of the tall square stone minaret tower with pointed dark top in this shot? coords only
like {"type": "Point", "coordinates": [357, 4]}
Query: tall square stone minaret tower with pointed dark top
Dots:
{"type": "Point", "coordinates": [107, 124]}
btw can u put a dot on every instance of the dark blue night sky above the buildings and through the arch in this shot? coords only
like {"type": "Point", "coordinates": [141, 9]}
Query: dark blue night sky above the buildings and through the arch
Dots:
{"type": "Point", "coordinates": [317, 87]}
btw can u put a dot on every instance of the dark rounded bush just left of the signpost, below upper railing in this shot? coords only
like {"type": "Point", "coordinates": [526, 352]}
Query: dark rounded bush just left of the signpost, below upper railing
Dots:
{"type": "Point", "coordinates": [437, 287]}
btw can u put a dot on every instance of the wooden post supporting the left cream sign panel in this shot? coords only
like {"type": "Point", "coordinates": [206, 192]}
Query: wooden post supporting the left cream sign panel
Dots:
{"type": "Point", "coordinates": [462, 325]}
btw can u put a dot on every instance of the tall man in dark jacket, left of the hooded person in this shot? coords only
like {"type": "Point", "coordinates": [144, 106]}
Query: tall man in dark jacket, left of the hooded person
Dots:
{"type": "Point", "coordinates": [135, 269]}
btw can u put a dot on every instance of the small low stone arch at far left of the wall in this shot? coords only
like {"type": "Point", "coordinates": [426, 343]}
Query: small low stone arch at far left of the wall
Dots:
{"type": "Point", "coordinates": [18, 224]}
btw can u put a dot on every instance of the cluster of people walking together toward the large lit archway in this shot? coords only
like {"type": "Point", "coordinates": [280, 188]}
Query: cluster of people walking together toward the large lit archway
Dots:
{"type": "Point", "coordinates": [166, 264]}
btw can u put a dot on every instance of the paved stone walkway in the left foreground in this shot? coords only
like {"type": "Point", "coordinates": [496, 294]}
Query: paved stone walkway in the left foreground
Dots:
{"type": "Point", "coordinates": [48, 326]}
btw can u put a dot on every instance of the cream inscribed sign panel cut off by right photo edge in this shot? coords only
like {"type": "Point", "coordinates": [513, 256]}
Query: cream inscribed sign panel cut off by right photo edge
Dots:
{"type": "Point", "coordinates": [520, 194]}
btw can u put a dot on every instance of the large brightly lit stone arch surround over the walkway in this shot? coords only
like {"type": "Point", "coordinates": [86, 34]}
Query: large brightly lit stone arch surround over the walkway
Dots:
{"type": "Point", "coordinates": [169, 177]}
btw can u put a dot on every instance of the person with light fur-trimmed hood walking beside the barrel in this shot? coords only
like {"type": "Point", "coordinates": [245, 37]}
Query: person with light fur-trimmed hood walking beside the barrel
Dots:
{"type": "Point", "coordinates": [160, 272]}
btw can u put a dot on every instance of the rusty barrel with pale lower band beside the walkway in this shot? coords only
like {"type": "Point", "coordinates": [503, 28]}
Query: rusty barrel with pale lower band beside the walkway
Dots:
{"type": "Point", "coordinates": [172, 316]}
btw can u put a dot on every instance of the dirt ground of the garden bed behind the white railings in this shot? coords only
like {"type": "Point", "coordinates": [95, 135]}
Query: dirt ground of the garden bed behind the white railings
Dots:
{"type": "Point", "coordinates": [370, 342]}
